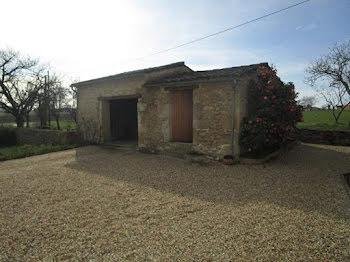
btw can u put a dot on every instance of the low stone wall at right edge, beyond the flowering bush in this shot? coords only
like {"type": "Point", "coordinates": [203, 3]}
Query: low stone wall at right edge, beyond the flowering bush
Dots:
{"type": "Point", "coordinates": [339, 138]}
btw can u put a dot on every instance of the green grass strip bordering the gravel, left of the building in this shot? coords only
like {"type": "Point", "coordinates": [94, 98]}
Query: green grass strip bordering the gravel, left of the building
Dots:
{"type": "Point", "coordinates": [13, 152]}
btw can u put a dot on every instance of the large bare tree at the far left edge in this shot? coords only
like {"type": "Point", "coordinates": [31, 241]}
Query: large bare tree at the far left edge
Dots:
{"type": "Point", "coordinates": [20, 83]}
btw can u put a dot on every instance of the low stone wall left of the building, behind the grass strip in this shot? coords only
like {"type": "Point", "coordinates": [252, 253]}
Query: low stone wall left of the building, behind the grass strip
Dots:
{"type": "Point", "coordinates": [42, 136]}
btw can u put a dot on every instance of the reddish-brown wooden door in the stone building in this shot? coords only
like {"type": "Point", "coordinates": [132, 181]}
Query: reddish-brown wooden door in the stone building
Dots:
{"type": "Point", "coordinates": [182, 116]}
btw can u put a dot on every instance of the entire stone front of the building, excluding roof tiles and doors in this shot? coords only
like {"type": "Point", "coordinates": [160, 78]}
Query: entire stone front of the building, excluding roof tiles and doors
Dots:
{"type": "Point", "coordinates": [217, 107]}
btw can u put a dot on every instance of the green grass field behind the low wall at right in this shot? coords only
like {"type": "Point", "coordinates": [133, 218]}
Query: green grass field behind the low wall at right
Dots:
{"type": "Point", "coordinates": [324, 120]}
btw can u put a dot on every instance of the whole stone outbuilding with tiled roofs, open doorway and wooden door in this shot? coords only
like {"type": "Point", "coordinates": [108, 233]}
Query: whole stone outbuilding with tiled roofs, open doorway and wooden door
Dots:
{"type": "Point", "coordinates": [168, 108]}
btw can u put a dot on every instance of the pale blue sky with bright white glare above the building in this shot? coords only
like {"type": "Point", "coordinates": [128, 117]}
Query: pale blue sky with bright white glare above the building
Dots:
{"type": "Point", "coordinates": [84, 39]}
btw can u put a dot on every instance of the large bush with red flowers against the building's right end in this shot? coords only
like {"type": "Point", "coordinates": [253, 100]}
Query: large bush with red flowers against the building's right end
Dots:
{"type": "Point", "coordinates": [272, 114]}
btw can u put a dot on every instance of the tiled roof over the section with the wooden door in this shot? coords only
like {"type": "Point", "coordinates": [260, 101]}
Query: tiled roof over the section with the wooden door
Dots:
{"type": "Point", "coordinates": [204, 76]}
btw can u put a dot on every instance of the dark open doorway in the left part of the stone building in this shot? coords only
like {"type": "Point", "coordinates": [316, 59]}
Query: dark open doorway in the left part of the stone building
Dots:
{"type": "Point", "coordinates": [123, 114]}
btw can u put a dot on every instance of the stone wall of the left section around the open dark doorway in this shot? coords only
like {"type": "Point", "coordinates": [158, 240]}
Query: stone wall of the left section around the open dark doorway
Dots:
{"type": "Point", "coordinates": [93, 101]}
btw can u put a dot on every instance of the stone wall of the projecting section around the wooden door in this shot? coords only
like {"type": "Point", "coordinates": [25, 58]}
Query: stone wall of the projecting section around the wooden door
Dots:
{"type": "Point", "coordinates": [212, 118]}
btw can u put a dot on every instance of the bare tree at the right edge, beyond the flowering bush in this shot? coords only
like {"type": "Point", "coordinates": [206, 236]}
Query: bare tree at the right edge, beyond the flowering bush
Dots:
{"type": "Point", "coordinates": [333, 69]}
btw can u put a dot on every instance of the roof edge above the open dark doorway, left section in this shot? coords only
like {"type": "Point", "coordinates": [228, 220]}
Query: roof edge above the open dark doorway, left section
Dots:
{"type": "Point", "coordinates": [130, 73]}
